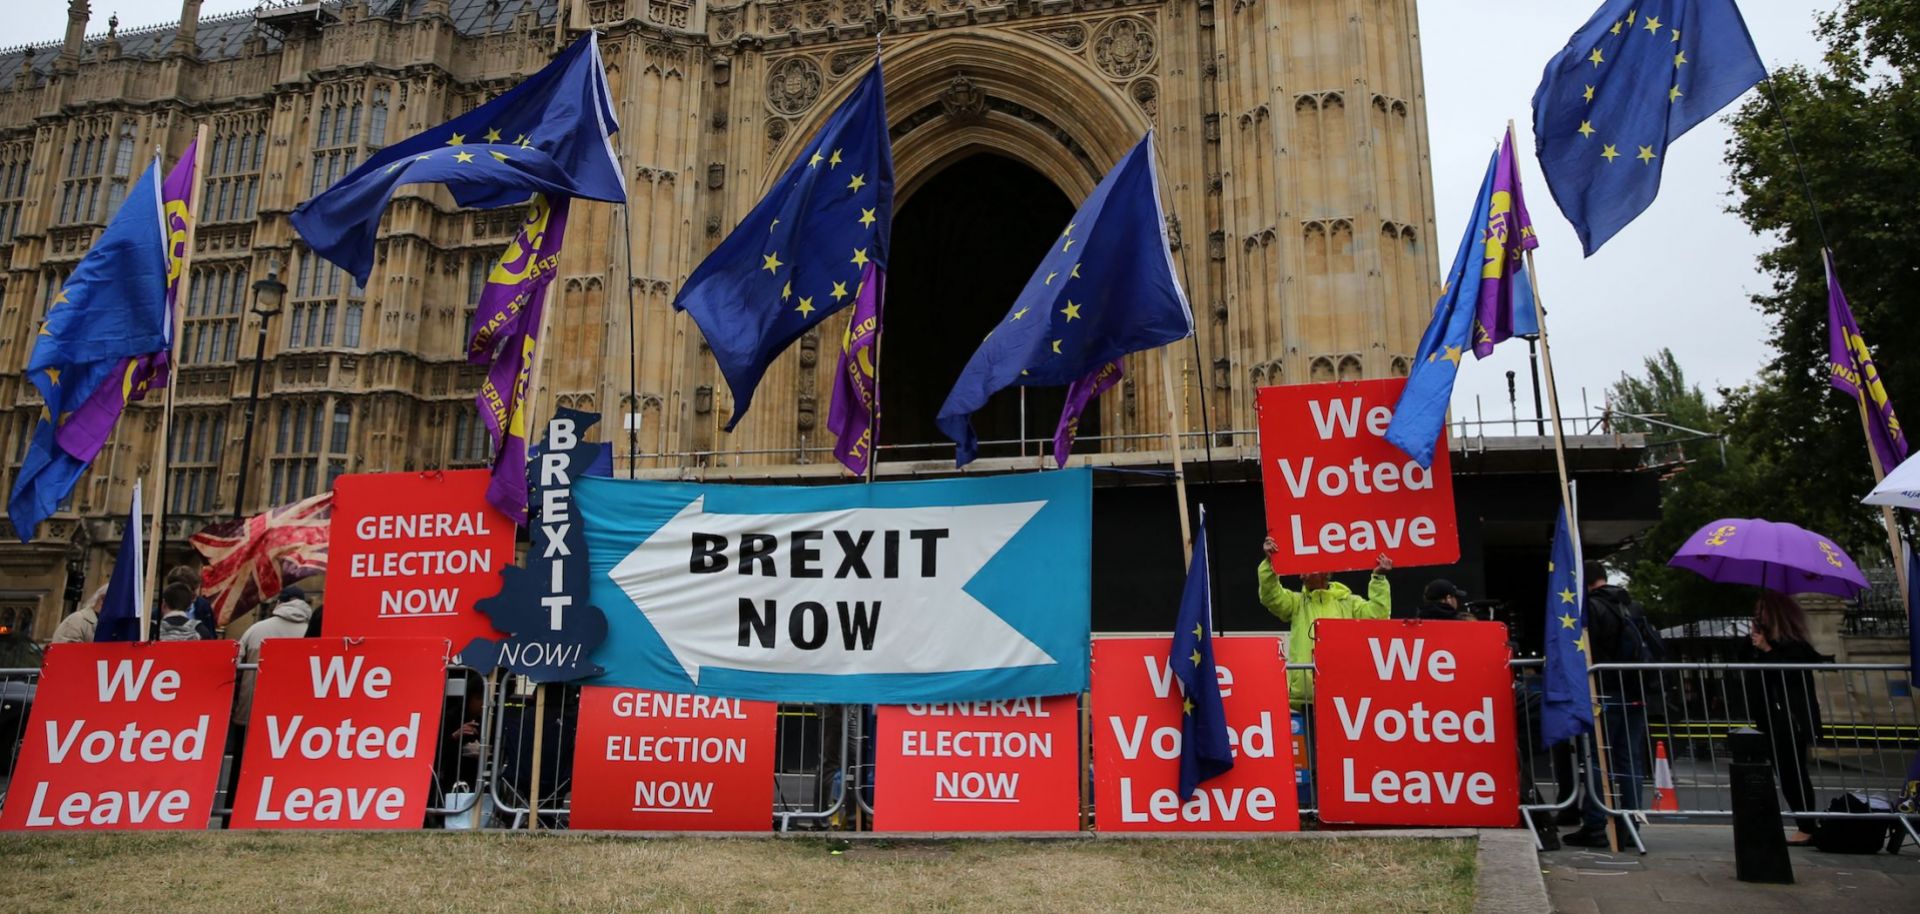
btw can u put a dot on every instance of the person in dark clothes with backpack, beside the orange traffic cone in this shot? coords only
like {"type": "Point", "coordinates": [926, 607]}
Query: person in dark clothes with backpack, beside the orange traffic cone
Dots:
{"type": "Point", "coordinates": [1618, 631]}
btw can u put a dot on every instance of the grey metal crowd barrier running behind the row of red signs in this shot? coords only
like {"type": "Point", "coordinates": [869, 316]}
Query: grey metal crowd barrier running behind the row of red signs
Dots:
{"type": "Point", "coordinates": [1861, 742]}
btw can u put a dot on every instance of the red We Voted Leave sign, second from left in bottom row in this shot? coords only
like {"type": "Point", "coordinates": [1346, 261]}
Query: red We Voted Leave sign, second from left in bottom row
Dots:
{"type": "Point", "coordinates": [345, 733]}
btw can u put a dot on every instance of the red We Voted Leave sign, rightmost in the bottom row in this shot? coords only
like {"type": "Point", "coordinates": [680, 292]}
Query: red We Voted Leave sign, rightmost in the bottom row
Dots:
{"type": "Point", "coordinates": [1414, 723]}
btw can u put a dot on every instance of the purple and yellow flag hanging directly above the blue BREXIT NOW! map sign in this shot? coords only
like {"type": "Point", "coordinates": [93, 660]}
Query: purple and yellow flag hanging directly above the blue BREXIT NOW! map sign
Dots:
{"type": "Point", "coordinates": [506, 331]}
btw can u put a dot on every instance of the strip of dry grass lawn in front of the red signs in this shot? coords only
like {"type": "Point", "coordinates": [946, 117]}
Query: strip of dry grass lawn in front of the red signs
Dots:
{"type": "Point", "coordinates": [519, 873]}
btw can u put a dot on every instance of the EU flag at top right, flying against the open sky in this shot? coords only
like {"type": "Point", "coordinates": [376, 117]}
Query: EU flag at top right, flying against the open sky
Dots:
{"type": "Point", "coordinates": [1631, 82]}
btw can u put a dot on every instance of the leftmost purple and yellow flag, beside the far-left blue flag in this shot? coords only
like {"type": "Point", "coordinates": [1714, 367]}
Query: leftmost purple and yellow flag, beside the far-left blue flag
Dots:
{"type": "Point", "coordinates": [89, 427]}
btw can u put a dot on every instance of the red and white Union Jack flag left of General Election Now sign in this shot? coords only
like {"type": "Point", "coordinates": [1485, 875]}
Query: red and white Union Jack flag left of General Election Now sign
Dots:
{"type": "Point", "coordinates": [249, 562]}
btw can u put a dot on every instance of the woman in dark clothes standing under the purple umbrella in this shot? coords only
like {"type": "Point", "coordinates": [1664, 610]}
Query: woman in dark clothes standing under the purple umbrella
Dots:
{"type": "Point", "coordinates": [1783, 702]}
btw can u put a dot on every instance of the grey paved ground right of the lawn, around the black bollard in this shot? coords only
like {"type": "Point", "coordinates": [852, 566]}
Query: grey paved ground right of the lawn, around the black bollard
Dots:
{"type": "Point", "coordinates": [1694, 867]}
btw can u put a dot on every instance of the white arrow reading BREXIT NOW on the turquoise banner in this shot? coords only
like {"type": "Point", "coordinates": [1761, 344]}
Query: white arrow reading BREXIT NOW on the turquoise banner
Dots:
{"type": "Point", "coordinates": [827, 604]}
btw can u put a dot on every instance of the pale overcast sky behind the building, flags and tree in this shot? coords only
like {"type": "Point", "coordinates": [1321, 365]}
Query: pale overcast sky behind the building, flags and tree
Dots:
{"type": "Point", "coordinates": [1677, 277]}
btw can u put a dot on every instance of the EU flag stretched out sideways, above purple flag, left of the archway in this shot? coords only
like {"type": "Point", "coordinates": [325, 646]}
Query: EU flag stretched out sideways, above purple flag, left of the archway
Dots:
{"type": "Point", "coordinates": [548, 135]}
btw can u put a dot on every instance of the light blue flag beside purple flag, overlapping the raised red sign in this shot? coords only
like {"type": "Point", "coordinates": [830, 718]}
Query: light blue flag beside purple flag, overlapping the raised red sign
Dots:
{"type": "Point", "coordinates": [1424, 402]}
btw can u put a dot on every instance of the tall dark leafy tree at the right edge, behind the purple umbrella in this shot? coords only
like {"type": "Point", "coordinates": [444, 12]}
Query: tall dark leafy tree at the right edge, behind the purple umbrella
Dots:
{"type": "Point", "coordinates": [1856, 149]}
